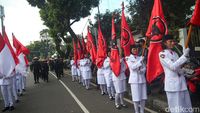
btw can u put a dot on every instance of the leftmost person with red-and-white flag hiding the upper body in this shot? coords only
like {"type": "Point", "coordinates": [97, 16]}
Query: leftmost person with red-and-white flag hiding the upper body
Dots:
{"type": "Point", "coordinates": [7, 66]}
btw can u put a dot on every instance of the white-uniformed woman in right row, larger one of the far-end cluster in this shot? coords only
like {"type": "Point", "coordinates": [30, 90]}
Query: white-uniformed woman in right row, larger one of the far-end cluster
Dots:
{"type": "Point", "coordinates": [86, 70]}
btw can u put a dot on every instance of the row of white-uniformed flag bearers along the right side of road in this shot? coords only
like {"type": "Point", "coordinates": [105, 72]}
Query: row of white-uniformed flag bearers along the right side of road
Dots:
{"type": "Point", "coordinates": [115, 86]}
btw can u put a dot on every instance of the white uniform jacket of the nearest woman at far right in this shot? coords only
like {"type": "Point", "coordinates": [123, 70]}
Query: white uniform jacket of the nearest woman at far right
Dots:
{"type": "Point", "coordinates": [171, 64]}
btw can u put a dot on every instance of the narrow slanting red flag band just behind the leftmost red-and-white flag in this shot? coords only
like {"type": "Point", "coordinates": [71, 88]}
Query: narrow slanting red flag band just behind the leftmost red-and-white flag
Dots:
{"type": "Point", "coordinates": [10, 47]}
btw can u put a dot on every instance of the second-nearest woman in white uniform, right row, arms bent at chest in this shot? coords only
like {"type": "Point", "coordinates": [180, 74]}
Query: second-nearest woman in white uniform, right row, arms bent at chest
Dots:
{"type": "Point", "coordinates": [137, 79]}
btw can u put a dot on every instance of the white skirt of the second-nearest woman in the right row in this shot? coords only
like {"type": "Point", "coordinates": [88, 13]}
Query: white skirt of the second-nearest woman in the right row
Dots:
{"type": "Point", "coordinates": [138, 91]}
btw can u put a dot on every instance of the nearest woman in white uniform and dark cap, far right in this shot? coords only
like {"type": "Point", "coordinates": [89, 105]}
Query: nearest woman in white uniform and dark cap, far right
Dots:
{"type": "Point", "coordinates": [175, 84]}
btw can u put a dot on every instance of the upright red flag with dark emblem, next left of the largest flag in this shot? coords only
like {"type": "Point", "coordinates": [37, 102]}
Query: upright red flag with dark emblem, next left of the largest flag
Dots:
{"type": "Point", "coordinates": [126, 35]}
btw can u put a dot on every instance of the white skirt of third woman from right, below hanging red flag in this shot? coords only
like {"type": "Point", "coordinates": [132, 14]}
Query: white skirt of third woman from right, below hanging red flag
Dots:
{"type": "Point", "coordinates": [120, 85]}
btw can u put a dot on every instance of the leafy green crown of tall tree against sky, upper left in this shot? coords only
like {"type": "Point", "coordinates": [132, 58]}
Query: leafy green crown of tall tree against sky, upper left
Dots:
{"type": "Point", "coordinates": [59, 15]}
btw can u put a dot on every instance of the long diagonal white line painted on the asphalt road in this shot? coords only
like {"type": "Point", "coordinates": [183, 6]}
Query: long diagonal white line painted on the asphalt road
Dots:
{"type": "Point", "coordinates": [73, 95]}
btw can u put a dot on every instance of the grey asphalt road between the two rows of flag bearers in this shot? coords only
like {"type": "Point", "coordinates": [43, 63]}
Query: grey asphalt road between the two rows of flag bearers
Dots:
{"type": "Point", "coordinates": [64, 96]}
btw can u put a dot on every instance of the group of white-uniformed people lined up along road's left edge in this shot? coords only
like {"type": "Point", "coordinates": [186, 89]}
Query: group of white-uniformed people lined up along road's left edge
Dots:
{"type": "Point", "coordinates": [12, 87]}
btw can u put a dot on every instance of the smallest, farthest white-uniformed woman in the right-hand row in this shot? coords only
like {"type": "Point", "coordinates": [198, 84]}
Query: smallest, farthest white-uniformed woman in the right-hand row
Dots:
{"type": "Point", "coordinates": [73, 69]}
